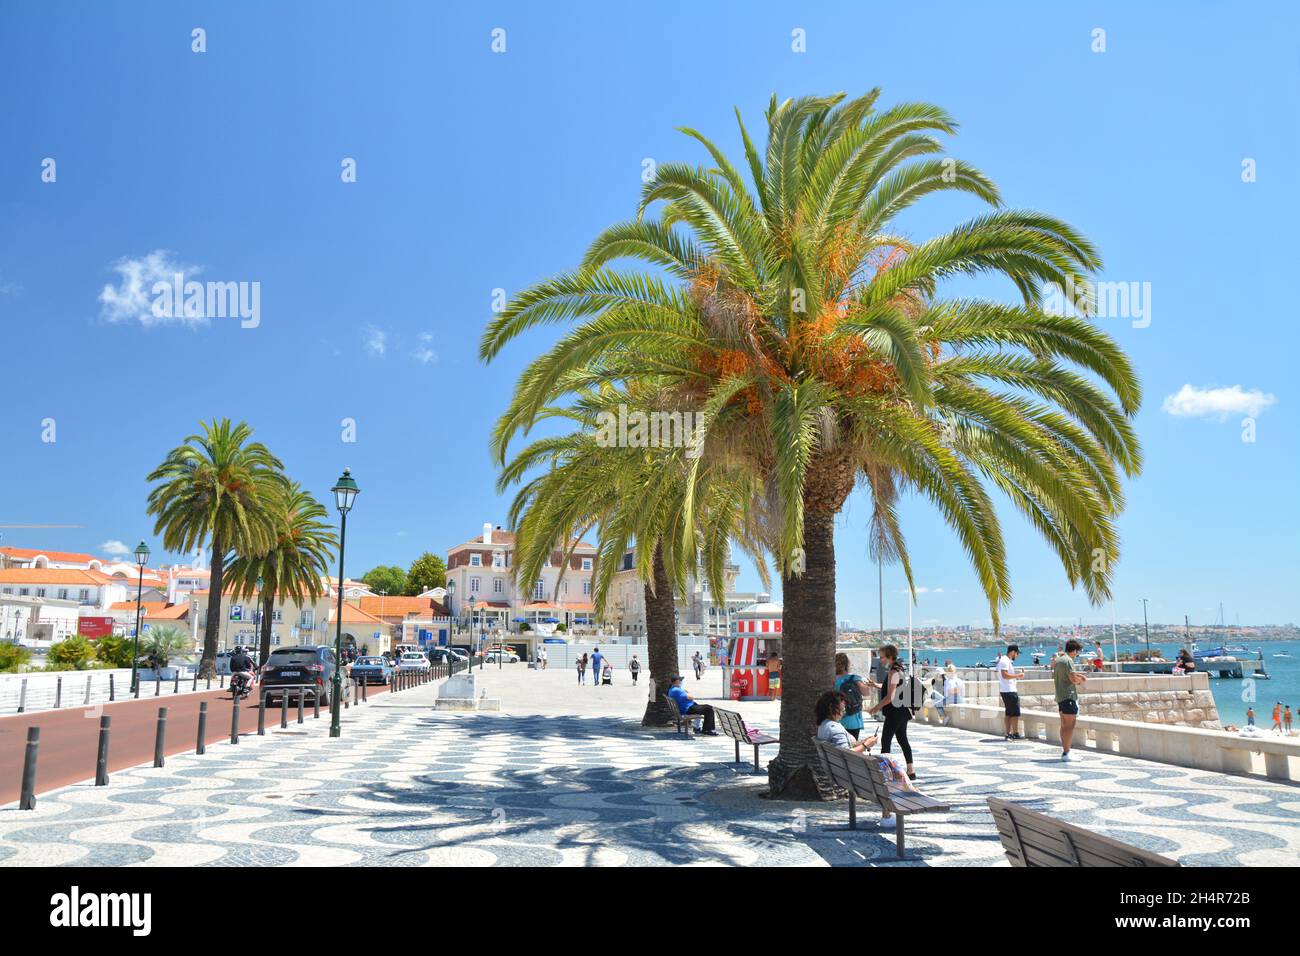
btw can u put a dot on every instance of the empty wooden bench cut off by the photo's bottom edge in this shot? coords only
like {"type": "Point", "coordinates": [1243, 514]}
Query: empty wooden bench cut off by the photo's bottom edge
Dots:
{"type": "Point", "coordinates": [1035, 840]}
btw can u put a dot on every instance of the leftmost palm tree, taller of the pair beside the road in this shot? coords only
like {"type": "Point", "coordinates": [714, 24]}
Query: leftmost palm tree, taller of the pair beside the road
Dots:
{"type": "Point", "coordinates": [218, 486]}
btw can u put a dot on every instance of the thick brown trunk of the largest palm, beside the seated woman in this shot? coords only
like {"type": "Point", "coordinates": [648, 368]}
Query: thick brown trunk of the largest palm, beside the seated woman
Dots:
{"type": "Point", "coordinates": [808, 639]}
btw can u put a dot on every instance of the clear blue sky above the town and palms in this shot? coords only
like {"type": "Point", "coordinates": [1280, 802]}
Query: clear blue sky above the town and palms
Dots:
{"type": "Point", "coordinates": [480, 171]}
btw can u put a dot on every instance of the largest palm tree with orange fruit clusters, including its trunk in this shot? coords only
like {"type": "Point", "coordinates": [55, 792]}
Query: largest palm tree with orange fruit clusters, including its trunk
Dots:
{"type": "Point", "coordinates": [816, 344]}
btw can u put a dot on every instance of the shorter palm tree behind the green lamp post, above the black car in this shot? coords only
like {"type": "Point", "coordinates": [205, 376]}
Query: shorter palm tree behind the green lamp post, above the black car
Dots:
{"type": "Point", "coordinates": [302, 552]}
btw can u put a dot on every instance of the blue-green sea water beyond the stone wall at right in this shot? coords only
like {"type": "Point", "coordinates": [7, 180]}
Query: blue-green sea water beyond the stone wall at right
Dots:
{"type": "Point", "coordinates": [1232, 697]}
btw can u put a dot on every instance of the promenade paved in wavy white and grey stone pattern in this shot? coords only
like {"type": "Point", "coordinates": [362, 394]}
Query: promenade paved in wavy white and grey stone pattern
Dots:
{"type": "Point", "coordinates": [566, 776]}
